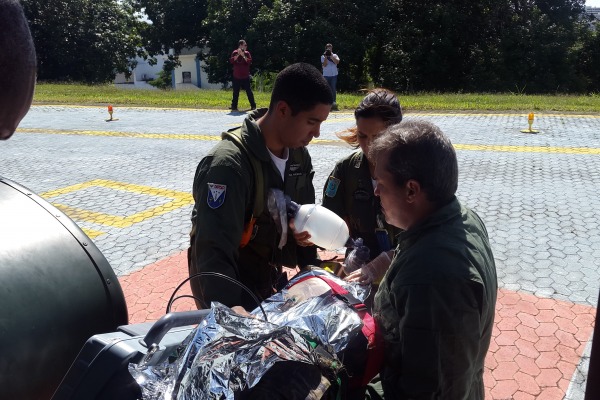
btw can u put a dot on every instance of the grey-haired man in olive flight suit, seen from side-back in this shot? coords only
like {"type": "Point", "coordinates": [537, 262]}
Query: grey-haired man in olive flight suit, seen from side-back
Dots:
{"type": "Point", "coordinates": [436, 304]}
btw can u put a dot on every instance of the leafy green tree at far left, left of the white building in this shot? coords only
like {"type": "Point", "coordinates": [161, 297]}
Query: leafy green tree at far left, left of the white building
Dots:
{"type": "Point", "coordinates": [82, 40]}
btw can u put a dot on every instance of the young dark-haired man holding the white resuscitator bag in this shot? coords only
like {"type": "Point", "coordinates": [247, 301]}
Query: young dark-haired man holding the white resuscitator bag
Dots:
{"type": "Point", "coordinates": [226, 237]}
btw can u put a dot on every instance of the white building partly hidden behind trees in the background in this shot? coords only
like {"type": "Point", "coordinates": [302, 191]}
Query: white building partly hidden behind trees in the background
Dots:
{"type": "Point", "coordinates": [190, 75]}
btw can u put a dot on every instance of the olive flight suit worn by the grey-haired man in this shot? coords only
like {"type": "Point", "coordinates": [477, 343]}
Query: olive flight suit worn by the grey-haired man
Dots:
{"type": "Point", "coordinates": [436, 306]}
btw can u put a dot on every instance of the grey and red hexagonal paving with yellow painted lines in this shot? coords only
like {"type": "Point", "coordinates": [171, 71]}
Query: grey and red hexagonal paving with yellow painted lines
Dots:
{"type": "Point", "coordinates": [127, 184]}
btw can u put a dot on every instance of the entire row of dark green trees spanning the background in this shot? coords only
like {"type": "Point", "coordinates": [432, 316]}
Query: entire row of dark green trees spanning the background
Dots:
{"type": "Point", "coordinates": [525, 46]}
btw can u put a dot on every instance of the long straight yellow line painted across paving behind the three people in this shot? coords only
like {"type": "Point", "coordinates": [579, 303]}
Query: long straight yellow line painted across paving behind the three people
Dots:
{"type": "Point", "coordinates": [469, 147]}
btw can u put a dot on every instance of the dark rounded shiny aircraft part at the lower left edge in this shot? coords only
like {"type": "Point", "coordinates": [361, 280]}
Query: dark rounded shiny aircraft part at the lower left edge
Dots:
{"type": "Point", "coordinates": [56, 291]}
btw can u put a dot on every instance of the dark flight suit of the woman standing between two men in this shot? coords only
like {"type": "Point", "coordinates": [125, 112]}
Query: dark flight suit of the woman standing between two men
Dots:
{"type": "Point", "coordinates": [349, 193]}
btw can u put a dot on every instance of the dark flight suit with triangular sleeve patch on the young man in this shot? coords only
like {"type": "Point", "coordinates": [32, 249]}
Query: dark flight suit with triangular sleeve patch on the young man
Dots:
{"type": "Point", "coordinates": [224, 198]}
